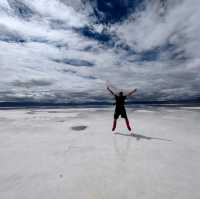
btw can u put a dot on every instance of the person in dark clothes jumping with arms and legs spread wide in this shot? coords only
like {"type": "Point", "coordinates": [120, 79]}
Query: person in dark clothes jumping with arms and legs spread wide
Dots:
{"type": "Point", "coordinates": [120, 107]}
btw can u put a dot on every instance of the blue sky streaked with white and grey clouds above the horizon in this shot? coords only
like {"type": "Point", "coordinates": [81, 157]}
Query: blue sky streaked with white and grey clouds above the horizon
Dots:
{"type": "Point", "coordinates": [68, 50]}
